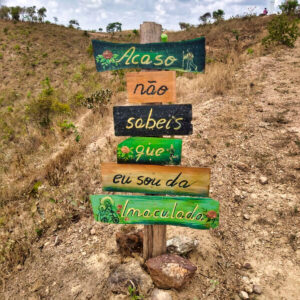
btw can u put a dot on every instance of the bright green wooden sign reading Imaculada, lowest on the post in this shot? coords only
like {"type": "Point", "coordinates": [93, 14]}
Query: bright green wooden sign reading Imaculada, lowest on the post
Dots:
{"type": "Point", "coordinates": [200, 213]}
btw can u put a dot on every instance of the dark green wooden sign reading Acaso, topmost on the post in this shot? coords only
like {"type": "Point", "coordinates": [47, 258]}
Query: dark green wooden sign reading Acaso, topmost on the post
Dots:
{"type": "Point", "coordinates": [184, 56]}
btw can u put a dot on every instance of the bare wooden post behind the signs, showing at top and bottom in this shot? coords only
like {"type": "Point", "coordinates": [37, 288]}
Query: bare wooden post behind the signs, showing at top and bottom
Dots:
{"type": "Point", "coordinates": [154, 235]}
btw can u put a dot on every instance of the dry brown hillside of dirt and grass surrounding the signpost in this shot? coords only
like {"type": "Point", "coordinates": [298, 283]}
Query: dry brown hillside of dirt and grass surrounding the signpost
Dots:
{"type": "Point", "coordinates": [246, 125]}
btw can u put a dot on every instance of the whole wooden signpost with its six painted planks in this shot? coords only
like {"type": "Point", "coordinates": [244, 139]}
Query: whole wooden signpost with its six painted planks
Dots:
{"type": "Point", "coordinates": [143, 158]}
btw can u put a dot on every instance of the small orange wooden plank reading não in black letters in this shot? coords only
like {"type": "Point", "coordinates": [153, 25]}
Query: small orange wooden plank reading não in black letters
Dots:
{"type": "Point", "coordinates": [151, 87]}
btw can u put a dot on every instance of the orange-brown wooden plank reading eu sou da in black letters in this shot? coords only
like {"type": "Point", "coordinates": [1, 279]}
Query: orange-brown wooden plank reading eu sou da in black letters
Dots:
{"type": "Point", "coordinates": [171, 180]}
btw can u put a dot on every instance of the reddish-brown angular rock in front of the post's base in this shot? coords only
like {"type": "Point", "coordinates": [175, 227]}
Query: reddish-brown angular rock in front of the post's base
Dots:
{"type": "Point", "coordinates": [170, 271]}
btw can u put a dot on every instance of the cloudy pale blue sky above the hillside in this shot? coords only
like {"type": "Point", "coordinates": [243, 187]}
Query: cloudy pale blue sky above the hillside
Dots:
{"type": "Point", "coordinates": [95, 14]}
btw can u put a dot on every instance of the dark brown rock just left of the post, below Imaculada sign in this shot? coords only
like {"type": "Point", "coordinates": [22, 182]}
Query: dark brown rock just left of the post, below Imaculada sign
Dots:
{"type": "Point", "coordinates": [129, 242]}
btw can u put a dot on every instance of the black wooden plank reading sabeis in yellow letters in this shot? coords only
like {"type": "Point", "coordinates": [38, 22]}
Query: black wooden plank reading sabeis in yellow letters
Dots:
{"type": "Point", "coordinates": [153, 120]}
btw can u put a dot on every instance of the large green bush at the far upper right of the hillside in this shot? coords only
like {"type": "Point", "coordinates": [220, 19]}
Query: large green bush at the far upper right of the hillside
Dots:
{"type": "Point", "coordinates": [282, 30]}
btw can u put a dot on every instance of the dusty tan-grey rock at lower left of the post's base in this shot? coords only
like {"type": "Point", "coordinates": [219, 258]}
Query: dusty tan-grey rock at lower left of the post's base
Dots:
{"type": "Point", "coordinates": [128, 274]}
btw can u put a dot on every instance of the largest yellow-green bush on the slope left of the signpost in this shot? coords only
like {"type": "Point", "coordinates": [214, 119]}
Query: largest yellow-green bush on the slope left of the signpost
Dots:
{"type": "Point", "coordinates": [45, 106]}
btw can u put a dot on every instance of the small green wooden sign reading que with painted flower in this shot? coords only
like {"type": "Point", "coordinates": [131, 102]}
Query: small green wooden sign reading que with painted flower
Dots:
{"type": "Point", "coordinates": [155, 151]}
